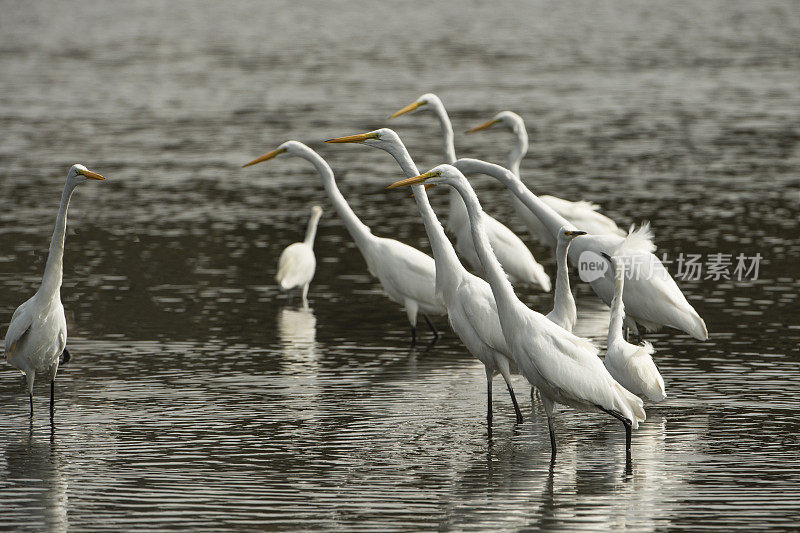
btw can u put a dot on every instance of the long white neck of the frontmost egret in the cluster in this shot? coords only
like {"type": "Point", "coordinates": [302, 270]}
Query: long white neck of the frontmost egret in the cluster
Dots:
{"type": "Point", "coordinates": [501, 287]}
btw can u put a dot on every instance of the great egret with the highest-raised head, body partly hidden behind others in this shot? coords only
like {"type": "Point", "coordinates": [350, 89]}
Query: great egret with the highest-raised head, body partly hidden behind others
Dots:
{"type": "Point", "coordinates": [517, 260]}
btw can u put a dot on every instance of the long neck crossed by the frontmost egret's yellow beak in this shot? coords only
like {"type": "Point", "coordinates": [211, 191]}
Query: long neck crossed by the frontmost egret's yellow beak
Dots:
{"type": "Point", "coordinates": [443, 253]}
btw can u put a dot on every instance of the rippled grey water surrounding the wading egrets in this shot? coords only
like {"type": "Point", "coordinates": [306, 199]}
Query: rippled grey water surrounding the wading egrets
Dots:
{"type": "Point", "coordinates": [199, 396]}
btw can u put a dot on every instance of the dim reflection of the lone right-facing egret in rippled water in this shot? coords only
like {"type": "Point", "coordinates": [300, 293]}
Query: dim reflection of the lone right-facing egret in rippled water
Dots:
{"type": "Point", "coordinates": [35, 464]}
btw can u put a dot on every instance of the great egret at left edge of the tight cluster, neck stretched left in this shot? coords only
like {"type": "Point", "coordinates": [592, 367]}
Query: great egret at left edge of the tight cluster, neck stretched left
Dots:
{"type": "Point", "coordinates": [407, 275]}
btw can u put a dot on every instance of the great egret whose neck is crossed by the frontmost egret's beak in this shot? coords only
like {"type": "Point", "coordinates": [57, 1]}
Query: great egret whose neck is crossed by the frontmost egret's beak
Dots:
{"type": "Point", "coordinates": [470, 304]}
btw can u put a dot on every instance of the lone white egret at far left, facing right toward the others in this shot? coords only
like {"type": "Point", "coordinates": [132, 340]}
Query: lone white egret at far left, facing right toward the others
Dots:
{"type": "Point", "coordinates": [37, 335]}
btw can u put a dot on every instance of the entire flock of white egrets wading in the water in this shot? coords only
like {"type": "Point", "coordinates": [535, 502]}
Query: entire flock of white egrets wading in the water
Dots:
{"type": "Point", "coordinates": [483, 310]}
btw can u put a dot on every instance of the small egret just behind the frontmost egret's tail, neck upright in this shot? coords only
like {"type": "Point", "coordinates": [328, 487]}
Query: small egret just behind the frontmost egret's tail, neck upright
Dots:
{"type": "Point", "coordinates": [631, 365]}
